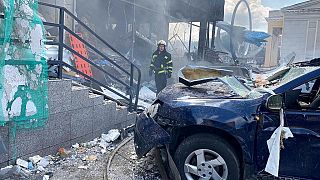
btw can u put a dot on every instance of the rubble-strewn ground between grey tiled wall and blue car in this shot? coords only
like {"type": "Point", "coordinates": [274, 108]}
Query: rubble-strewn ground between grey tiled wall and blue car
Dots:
{"type": "Point", "coordinates": [82, 161]}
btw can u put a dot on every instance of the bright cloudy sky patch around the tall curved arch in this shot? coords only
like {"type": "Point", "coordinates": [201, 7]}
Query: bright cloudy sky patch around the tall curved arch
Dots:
{"type": "Point", "coordinates": [259, 13]}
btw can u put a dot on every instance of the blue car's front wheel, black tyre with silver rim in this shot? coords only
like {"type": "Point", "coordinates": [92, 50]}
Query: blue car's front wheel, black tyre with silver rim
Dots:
{"type": "Point", "coordinates": [213, 148]}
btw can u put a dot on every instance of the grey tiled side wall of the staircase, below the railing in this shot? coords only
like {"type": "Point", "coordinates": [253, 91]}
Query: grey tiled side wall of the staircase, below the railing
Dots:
{"type": "Point", "coordinates": [75, 115]}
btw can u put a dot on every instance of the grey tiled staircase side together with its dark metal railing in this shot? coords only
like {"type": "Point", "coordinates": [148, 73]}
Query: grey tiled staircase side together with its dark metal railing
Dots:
{"type": "Point", "coordinates": [76, 114]}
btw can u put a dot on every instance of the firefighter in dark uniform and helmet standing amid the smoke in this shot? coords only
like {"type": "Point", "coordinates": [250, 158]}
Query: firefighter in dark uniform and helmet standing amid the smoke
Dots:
{"type": "Point", "coordinates": [161, 66]}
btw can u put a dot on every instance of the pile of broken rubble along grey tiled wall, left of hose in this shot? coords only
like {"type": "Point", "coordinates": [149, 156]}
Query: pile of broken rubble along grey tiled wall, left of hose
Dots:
{"type": "Point", "coordinates": [90, 156]}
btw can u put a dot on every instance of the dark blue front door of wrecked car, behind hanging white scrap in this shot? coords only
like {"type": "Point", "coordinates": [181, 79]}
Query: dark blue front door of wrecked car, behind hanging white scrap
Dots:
{"type": "Point", "coordinates": [299, 158]}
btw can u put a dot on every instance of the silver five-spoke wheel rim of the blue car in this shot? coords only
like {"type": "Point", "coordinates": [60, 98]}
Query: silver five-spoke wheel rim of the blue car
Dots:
{"type": "Point", "coordinates": [205, 164]}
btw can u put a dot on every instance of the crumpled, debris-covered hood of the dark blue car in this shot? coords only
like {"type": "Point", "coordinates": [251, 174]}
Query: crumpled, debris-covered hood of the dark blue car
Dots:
{"type": "Point", "coordinates": [215, 95]}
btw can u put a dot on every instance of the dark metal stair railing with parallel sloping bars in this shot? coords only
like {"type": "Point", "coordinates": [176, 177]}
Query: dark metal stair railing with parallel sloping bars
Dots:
{"type": "Point", "coordinates": [131, 87]}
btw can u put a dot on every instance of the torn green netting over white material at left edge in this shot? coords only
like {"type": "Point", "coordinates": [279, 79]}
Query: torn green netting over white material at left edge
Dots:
{"type": "Point", "coordinates": [23, 65]}
